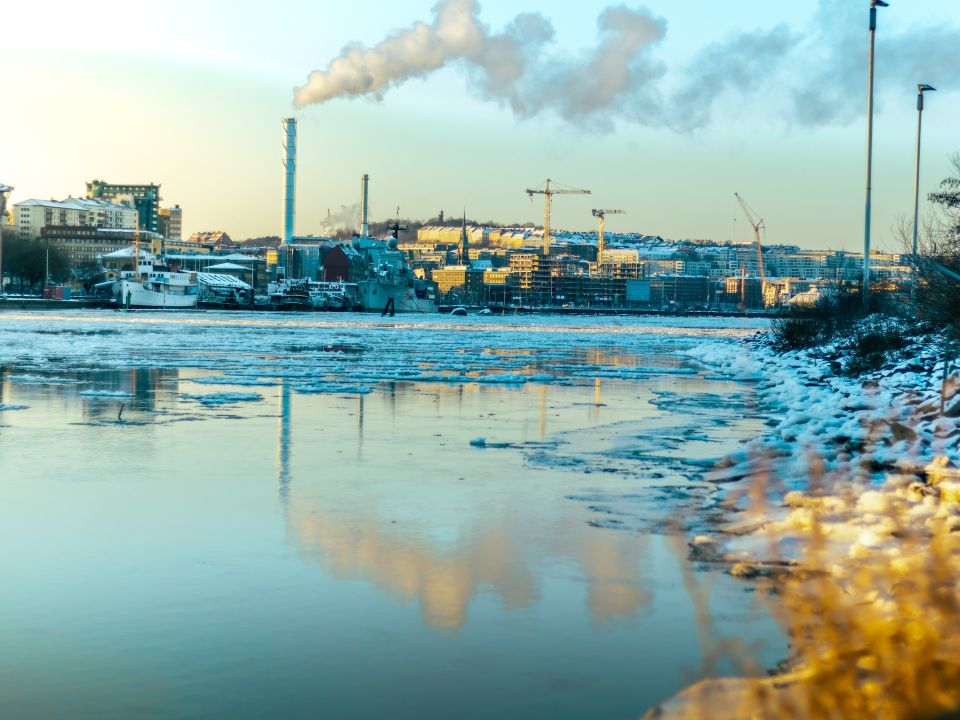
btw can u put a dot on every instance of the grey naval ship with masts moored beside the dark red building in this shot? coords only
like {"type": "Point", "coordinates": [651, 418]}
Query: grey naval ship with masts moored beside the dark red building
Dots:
{"type": "Point", "coordinates": [390, 285]}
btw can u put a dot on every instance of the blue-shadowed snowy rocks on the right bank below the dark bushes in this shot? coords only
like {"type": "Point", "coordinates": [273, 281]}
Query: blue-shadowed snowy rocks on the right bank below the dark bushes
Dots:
{"type": "Point", "coordinates": [860, 426]}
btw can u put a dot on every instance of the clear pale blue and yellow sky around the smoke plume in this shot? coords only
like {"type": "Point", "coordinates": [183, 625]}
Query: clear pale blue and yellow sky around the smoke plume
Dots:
{"type": "Point", "coordinates": [190, 94]}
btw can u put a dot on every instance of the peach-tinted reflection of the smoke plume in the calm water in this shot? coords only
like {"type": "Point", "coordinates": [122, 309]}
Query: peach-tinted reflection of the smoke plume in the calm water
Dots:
{"type": "Point", "coordinates": [494, 558]}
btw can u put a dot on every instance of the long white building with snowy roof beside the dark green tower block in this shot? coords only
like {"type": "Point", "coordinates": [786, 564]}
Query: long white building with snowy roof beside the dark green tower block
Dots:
{"type": "Point", "coordinates": [31, 216]}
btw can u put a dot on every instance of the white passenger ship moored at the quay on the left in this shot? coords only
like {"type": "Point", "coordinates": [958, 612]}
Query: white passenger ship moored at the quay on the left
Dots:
{"type": "Point", "coordinates": [152, 284]}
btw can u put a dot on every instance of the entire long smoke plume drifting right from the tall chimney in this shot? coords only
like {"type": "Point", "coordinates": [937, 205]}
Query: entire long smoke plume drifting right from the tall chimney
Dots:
{"type": "Point", "coordinates": [618, 79]}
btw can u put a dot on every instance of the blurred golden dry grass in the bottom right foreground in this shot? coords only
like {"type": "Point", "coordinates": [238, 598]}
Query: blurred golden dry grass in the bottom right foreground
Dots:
{"type": "Point", "coordinates": [871, 605]}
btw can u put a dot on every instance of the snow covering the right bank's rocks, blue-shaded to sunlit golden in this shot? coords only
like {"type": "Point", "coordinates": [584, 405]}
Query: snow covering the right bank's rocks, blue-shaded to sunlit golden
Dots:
{"type": "Point", "coordinates": [846, 450]}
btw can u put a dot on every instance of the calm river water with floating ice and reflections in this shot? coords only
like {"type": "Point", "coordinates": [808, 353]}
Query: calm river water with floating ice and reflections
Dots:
{"type": "Point", "coordinates": [227, 515]}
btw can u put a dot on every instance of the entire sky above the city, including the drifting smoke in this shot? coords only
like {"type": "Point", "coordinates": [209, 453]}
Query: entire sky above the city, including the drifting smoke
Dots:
{"type": "Point", "coordinates": [663, 110]}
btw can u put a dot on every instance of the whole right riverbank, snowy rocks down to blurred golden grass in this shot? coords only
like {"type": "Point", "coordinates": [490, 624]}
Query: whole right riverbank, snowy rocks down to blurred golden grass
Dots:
{"type": "Point", "coordinates": [848, 507]}
